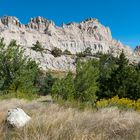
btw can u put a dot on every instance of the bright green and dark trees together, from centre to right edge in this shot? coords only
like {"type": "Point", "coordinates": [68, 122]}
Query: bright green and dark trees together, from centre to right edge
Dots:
{"type": "Point", "coordinates": [99, 79]}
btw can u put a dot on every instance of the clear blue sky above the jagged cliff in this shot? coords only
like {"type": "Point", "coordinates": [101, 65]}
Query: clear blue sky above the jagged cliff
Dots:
{"type": "Point", "coordinates": [122, 16]}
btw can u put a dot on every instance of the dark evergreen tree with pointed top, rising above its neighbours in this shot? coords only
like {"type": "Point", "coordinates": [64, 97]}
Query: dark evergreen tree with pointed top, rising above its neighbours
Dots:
{"type": "Point", "coordinates": [119, 76]}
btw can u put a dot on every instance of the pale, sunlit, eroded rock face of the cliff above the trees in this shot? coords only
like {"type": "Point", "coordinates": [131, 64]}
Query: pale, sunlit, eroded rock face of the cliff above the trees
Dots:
{"type": "Point", "coordinates": [75, 37]}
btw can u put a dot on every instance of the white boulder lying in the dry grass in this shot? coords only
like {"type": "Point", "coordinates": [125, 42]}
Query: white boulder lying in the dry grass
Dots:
{"type": "Point", "coordinates": [17, 118]}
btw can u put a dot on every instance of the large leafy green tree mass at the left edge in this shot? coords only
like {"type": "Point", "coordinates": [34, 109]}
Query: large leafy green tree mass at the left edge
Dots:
{"type": "Point", "coordinates": [17, 73]}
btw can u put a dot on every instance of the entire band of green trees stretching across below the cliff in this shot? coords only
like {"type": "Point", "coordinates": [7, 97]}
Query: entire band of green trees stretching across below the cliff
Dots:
{"type": "Point", "coordinates": [94, 79]}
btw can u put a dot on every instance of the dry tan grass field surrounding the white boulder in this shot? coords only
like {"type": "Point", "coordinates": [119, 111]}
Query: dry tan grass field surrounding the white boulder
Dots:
{"type": "Point", "coordinates": [52, 122]}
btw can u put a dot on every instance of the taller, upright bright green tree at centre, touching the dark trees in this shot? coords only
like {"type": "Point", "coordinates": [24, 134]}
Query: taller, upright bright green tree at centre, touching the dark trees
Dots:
{"type": "Point", "coordinates": [86, 84]}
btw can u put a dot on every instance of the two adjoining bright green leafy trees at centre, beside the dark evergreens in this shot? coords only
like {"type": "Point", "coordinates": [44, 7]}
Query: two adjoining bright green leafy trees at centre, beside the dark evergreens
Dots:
{"type": "Point", "coordinates": [82, 87]}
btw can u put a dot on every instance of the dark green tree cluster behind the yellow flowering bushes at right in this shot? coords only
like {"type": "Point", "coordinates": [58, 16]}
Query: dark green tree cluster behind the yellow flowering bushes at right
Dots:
{"type": "Point", "coordinates": [118, 77]}
